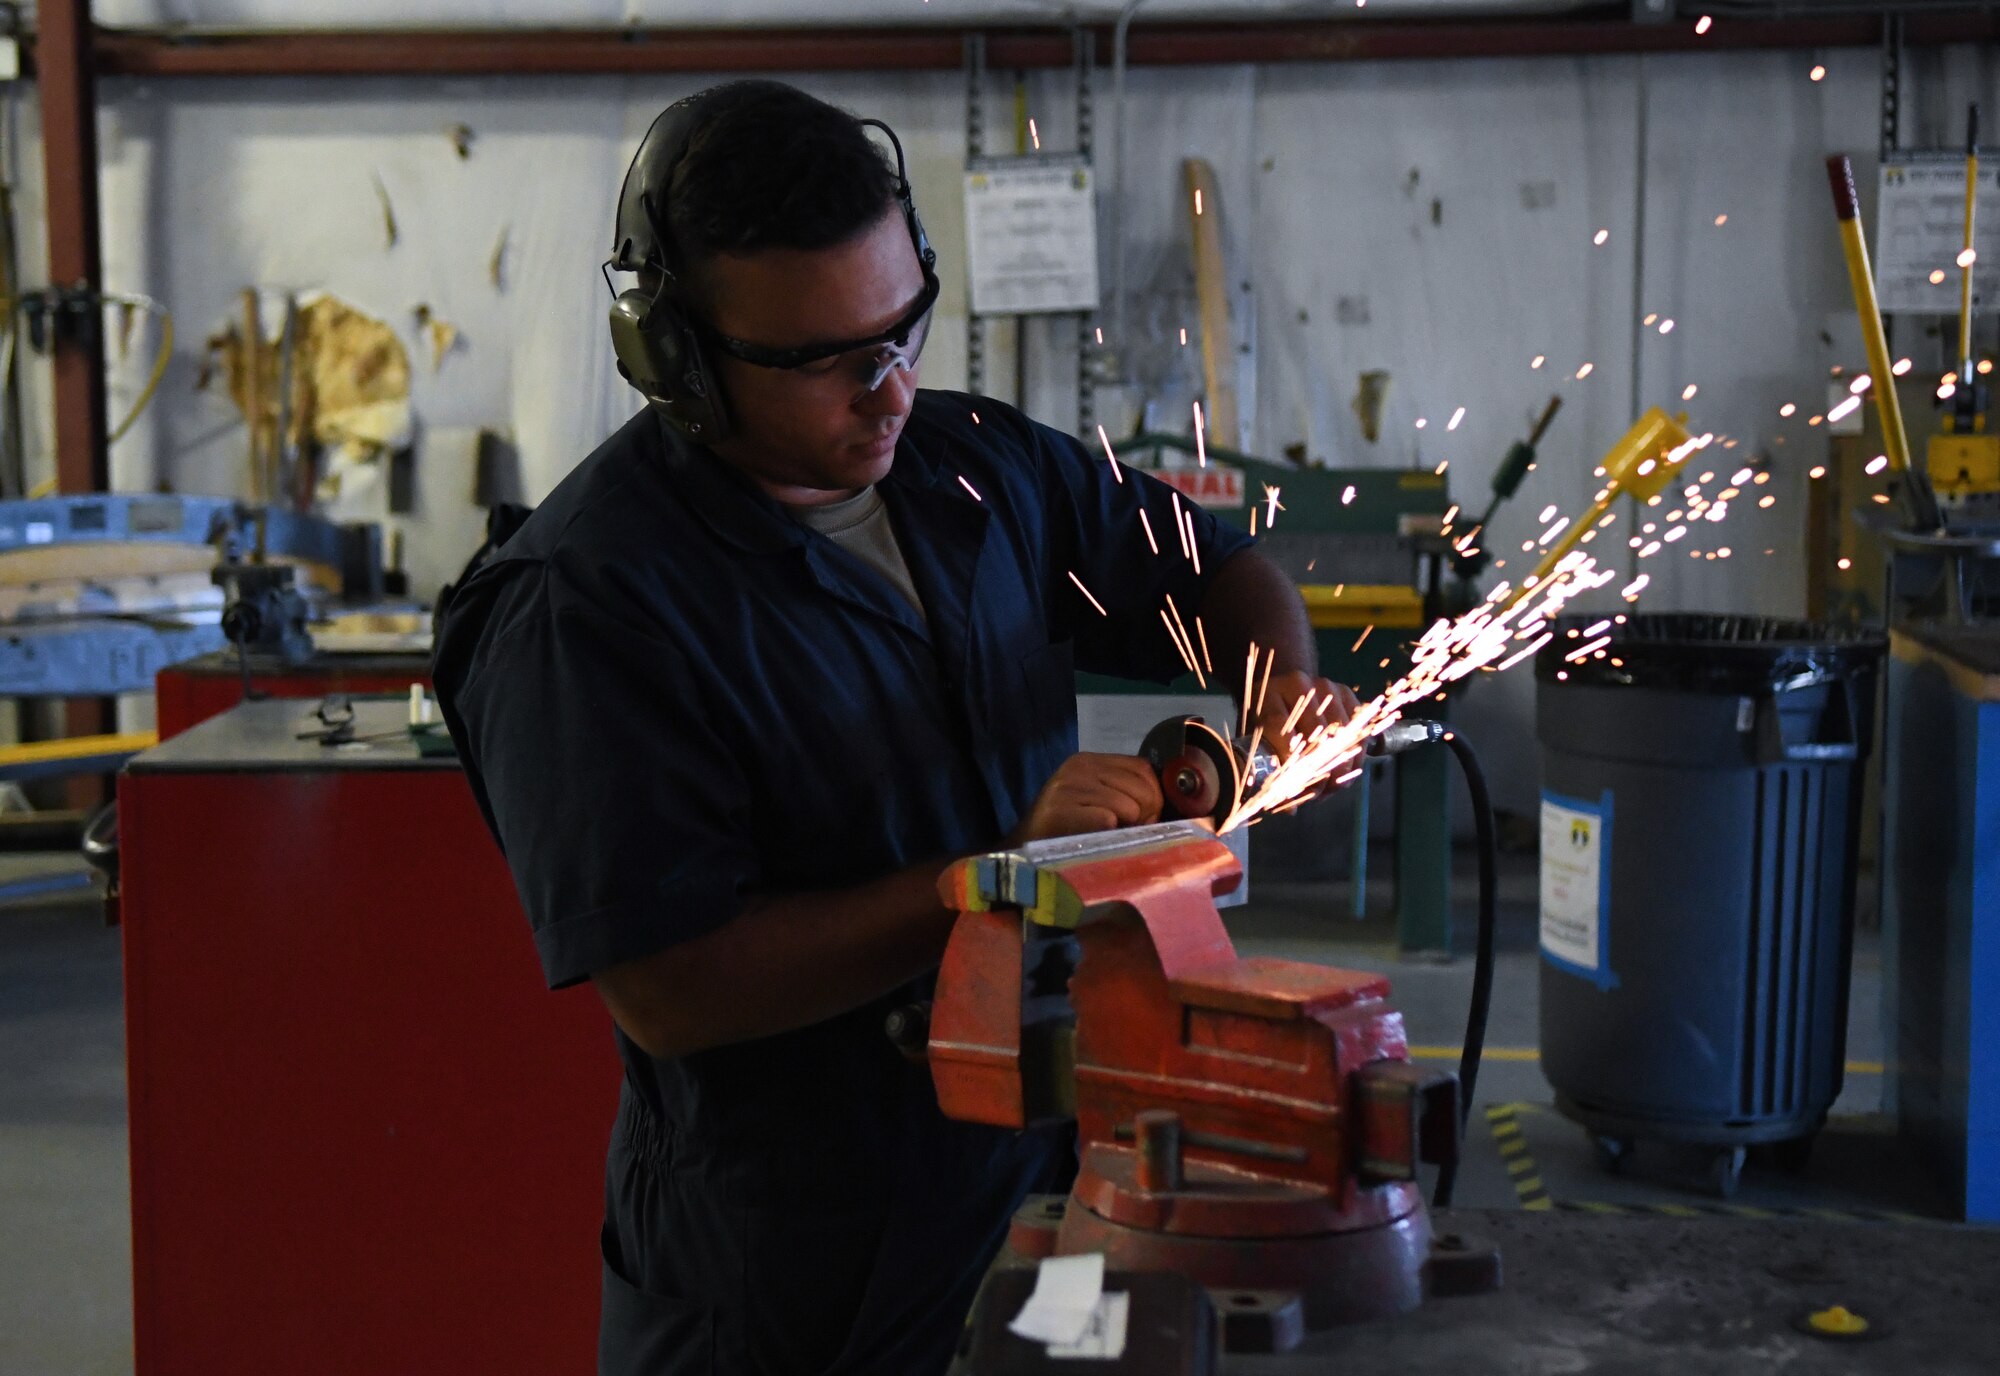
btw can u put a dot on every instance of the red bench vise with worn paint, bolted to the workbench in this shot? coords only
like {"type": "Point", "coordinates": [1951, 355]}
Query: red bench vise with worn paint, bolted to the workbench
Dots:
{"type": "Point", "coordinates": [1249, 1123]}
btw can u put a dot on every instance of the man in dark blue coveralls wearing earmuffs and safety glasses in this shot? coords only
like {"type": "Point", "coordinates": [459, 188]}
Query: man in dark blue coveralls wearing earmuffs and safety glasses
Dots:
{"type": "Point", "coordinates": [761, 667]}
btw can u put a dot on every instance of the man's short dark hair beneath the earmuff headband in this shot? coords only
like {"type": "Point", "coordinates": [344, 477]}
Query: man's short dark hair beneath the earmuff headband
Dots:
{"type": "Point", "coordinates": [773, 167]}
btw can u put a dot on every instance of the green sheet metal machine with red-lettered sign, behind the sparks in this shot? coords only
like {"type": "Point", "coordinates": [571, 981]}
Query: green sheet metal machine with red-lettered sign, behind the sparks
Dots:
{"type": "Point", "coordinates": [1375, 555]}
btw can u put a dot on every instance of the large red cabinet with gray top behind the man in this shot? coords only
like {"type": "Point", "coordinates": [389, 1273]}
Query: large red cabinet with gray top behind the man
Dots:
{"type": "Point", "coordinates": [365, 1135]}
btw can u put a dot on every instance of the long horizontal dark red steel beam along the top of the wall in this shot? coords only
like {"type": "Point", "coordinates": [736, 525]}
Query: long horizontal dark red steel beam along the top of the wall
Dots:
{"type": "Point", "coordinates": [583, 53]}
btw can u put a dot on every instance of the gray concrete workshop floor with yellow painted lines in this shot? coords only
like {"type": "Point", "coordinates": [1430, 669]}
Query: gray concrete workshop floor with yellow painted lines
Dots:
{"type": "Point", "coordinates": [65, 1249]}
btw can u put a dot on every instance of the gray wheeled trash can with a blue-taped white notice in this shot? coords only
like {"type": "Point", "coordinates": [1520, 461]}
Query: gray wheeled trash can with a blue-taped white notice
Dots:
{"type": "Point", "coordinates": [1701, 809]}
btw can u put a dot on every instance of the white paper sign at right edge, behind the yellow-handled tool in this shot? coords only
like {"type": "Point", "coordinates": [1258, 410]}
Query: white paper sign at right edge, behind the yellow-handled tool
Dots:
{"type": "Point", "coordinates": [1921, 229]}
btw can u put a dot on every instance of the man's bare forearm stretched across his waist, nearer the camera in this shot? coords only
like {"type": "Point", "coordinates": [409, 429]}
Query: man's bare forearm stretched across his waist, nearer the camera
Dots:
{"type": "Point", "coordinates": [783, 963]}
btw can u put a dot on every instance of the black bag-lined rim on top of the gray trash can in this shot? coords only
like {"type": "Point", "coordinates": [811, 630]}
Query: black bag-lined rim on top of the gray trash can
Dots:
{"type": "Point", "coordinates": [1705, 651]}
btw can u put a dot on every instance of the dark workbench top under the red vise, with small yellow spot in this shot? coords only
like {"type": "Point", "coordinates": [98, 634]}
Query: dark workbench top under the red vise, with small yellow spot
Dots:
{"type": "Point", "coordinates": [1683, 1297]}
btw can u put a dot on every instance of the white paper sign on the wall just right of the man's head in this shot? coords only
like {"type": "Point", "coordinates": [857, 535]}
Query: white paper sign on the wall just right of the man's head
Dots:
{"type": "Point", "coordinates": [1033, 237]}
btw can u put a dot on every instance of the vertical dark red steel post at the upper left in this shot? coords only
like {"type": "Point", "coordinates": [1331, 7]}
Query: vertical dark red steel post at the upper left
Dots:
{"type": "Point", "coordinates": [67, 79]}
